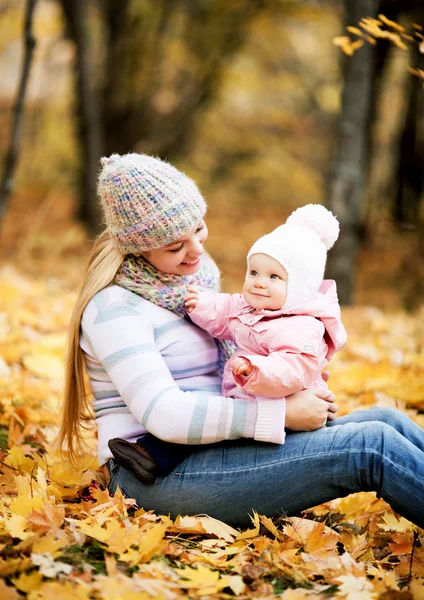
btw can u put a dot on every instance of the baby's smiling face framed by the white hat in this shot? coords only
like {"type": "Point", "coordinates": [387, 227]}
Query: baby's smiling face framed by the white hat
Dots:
{"type": "Point", "coordinates": [265, 285]}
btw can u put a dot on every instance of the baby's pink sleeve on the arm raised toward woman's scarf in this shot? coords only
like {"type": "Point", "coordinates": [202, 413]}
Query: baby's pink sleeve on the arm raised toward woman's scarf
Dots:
{"type": "Point", "coordinates": [213, 312]}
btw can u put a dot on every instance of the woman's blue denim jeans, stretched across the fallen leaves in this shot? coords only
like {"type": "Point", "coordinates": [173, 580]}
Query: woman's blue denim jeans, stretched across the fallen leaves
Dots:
{"type": "Point", "coordinates": [378, 450]}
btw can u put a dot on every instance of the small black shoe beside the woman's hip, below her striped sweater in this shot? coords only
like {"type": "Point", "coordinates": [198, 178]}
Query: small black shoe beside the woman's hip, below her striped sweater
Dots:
{"type": "Point", "coordinates": [136, 459]}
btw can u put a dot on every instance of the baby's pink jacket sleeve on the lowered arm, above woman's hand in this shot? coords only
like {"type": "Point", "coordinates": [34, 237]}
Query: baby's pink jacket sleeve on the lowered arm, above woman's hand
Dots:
{"type": "Point", "coordinates": [289, 367]}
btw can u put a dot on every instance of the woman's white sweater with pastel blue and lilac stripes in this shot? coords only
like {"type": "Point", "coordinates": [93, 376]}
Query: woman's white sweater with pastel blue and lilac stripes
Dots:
{"type": "Point", "coordinates": [151, 370]}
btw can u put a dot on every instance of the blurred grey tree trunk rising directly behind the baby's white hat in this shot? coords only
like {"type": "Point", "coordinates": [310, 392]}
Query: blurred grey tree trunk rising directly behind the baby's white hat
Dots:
{"type": "Point", "coordinates": [348, 175]}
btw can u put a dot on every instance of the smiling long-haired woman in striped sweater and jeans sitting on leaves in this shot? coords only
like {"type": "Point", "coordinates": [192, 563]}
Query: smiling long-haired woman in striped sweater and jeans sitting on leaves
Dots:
{"type": "Point", "coordinates": [150, 369]}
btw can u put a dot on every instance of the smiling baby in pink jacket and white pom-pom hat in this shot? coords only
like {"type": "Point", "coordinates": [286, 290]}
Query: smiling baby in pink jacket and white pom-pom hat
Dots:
{"type": "Point", "coordinates": [286, 323]}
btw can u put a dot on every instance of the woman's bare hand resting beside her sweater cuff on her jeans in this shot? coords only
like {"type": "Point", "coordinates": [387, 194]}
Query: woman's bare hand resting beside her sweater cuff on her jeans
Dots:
{"type": "Point", "coordinates": [309, 410]}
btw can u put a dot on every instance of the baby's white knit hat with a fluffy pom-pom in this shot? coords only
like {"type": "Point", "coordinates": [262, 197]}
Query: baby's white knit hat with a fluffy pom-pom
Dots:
{"type": "Point", "coordinates": [300, 246]}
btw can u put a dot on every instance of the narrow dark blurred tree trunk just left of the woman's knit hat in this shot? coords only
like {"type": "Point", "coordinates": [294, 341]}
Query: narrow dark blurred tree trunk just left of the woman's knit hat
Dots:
{"type": "Point", "coordinates": [89, 126]}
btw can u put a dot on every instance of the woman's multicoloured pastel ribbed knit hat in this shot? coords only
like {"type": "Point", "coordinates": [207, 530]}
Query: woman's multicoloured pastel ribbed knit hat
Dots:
{"type": "Point", "coordinates": [147, 202]}
